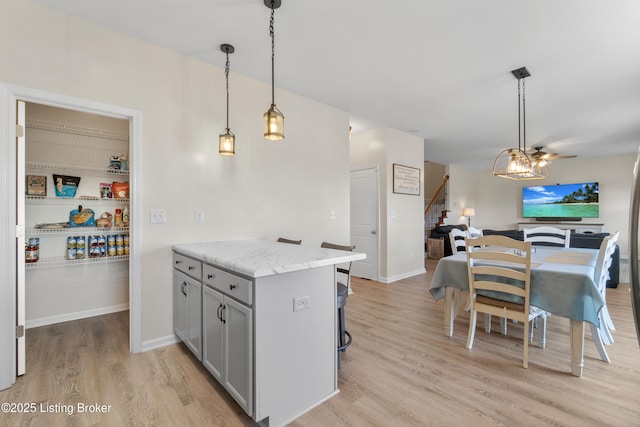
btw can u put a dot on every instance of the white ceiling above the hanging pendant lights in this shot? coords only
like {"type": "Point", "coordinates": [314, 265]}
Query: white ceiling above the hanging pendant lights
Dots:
{"type": "Point", "coordinates": [439, 70]}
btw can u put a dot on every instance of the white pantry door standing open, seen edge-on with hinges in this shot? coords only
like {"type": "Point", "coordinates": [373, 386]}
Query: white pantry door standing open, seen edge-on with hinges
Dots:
{"type": "Point", "coordinates": [20, 273]}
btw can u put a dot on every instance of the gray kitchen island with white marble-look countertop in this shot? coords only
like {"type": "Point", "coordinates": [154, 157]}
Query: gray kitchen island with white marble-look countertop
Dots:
{"type": "Point", "coordinates": [261, 316]}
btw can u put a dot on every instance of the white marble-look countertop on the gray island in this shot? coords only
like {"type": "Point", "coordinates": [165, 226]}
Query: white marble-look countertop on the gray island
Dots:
{"type": "Point", "coordinates": [259, 258]}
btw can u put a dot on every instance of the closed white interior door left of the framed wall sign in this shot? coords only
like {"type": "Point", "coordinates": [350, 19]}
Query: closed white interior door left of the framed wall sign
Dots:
{"type": "Point", "coordinates": [364, 221]}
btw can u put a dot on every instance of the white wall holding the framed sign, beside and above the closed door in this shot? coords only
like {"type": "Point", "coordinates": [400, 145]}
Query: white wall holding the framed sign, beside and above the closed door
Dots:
{"type": "Point", "coordinates": [401, 216]}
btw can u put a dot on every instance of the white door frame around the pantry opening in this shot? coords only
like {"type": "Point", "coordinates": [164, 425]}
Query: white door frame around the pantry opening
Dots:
{"type": "Point", "coordinates": [9, 94]}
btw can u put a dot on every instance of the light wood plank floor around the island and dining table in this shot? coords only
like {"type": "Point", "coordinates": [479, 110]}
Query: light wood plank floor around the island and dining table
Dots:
{"type": "Point", "coordinates": [400, 371]}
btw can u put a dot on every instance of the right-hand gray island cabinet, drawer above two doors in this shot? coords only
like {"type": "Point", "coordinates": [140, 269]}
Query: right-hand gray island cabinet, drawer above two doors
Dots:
{"type": "Point", "coordinates": [228, 333]}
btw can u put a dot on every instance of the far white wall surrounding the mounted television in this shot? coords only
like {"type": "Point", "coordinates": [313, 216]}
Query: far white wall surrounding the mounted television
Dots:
{"type": "Point", "coordinates": [497, 201]}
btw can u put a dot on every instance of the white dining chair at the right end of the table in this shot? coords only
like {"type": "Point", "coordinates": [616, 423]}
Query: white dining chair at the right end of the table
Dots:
{"type": "Point", "coordinates": [602, 333]}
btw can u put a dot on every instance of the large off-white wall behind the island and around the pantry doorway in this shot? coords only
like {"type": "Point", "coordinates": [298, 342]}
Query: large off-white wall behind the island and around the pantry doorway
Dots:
{"type": "Point", "coordinates": [268, 189]}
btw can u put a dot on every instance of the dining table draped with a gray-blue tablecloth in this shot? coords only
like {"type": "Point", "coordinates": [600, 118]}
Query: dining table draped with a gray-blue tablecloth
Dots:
{"type": "Point", "coordinates": [562, 283]}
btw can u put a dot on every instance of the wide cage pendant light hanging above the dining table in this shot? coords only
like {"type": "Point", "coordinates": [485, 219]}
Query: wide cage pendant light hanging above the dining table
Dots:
{"type": "Point", "coordinates": [515, 163]}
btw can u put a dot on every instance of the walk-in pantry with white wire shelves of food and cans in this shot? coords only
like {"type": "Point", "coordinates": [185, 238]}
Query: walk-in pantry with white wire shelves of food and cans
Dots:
{"type": "Point", "coordinates": [81, 270]}
